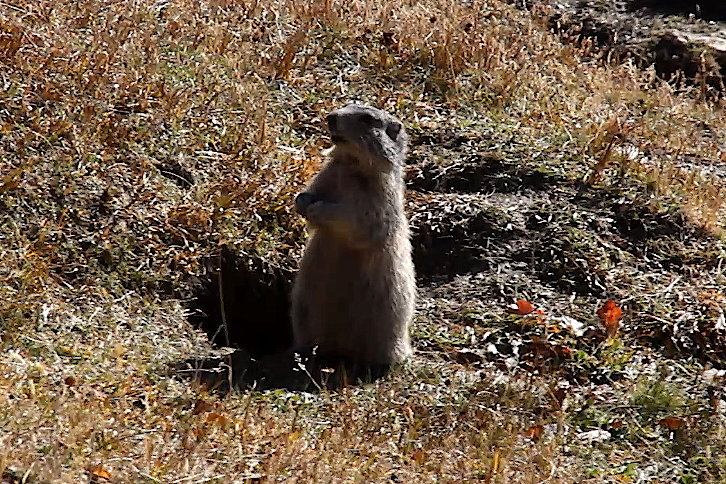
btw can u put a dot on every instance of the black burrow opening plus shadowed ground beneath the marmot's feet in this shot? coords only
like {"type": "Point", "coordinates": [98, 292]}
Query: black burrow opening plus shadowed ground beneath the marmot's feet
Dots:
{"type": "Point", "coordinates": [255, 297]}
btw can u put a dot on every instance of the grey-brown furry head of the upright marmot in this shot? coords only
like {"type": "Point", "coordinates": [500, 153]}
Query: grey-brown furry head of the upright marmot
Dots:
{"type": "Point", "coordinates": [369, 134]}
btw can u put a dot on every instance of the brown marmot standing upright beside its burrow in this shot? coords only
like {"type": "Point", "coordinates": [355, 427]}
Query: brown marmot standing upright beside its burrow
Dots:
{"type": "Point", "coordinates": [355, 293]}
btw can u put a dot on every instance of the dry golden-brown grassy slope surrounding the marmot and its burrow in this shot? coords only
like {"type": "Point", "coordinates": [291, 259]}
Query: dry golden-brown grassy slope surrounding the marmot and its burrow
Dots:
{"type": "Point", "coordinates": [138, 137]}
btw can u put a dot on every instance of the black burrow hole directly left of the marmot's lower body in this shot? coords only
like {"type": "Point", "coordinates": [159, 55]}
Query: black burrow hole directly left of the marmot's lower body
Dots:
{"type": "Point", "coordinates": [255, 297]}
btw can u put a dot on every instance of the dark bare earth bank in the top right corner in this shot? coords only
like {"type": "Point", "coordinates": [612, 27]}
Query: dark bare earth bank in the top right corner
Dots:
{"type": "Point", "coordinates": [682, 40]}
